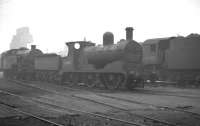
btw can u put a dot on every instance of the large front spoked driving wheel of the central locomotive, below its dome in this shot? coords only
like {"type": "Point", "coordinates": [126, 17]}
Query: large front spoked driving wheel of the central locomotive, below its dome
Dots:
{"type": "Point", "coordinates": [112, 81]}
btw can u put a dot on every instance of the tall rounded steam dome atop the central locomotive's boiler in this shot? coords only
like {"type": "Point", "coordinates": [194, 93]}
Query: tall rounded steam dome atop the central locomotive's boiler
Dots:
{"type": "Point", "coordinates": [108, 38]}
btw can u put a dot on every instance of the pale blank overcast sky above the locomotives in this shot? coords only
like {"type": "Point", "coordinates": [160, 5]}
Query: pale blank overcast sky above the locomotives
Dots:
{"type": "Point", "coordinates": [54, 22]}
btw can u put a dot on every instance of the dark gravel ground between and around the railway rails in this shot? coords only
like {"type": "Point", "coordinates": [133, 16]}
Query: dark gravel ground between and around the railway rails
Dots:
{"type": "Point", "coordinates": [80, 119]}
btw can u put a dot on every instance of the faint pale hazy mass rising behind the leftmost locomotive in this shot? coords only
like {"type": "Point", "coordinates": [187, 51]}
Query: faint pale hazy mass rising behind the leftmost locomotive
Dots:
{"type": "Point", "coordinates": [21, 39]}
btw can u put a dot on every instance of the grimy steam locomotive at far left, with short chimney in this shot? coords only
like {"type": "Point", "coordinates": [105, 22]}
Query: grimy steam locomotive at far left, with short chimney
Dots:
{"type": "Point", "coordinates": [19, 63]}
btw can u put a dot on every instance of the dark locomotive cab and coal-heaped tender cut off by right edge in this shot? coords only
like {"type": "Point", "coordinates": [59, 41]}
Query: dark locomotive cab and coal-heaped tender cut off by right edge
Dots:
{"type": "Point", "coordinates": [173, 58]}
